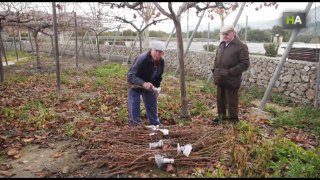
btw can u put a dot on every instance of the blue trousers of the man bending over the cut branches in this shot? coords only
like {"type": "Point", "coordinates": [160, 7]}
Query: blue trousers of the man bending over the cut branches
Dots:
{"type": "Point", "coordinates": [150, 103]}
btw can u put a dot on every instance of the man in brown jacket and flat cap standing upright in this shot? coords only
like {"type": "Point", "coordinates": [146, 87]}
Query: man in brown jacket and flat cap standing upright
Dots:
{"type": "Point", "coordinates": [232, 58]}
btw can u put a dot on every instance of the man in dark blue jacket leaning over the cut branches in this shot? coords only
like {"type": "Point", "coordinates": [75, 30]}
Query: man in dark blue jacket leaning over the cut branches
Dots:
{"type": "Point", "coordinates": [144, 75]}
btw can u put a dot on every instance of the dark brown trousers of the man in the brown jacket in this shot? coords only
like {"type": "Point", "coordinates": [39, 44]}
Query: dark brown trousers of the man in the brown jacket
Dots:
{"type": "Point", "coordinates": [228, 99]}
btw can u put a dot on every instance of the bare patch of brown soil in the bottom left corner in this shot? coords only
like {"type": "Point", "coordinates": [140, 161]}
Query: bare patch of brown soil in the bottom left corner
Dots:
{"type": "Point", "coordinates": [60, 159]}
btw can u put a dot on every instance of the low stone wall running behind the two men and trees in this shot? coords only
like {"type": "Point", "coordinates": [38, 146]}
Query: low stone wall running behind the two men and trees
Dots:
{"type": "Point", "coordinates": [297, 79]}
